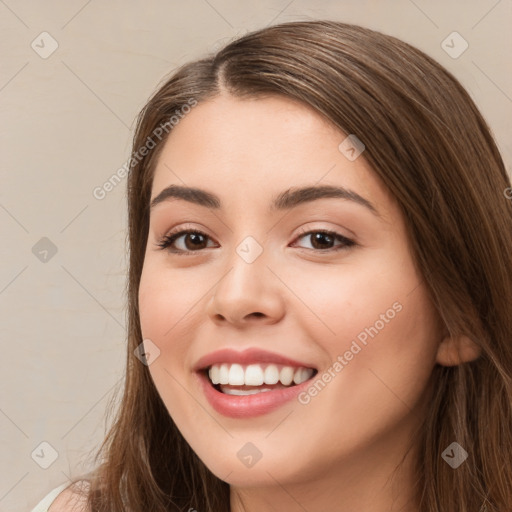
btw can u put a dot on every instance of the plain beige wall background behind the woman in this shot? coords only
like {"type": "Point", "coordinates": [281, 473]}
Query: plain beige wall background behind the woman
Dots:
{"type": "Point", "coordinates": [66, 126]}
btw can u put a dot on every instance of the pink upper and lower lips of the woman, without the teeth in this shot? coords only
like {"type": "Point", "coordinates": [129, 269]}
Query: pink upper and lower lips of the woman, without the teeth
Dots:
{"type": "Point", "coordinates": [249, 405]}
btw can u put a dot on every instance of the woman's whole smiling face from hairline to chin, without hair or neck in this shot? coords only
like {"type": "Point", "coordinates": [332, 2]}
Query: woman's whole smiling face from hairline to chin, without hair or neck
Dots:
{"type": "Point", "coordinates": [260, 285]}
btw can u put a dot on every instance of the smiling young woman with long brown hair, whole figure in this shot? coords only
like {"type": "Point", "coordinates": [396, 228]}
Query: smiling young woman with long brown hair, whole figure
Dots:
{"type": "Point", "coordinates": [320, 287]}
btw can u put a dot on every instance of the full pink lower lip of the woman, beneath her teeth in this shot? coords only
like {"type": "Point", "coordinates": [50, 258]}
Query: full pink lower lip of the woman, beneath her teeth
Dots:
{"type": "Point", "coordinates": [248, 406]}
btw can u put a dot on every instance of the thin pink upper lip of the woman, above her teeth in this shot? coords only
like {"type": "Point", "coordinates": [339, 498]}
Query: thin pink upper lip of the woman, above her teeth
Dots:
{"type": "Point", "coordinates": [248, 356]}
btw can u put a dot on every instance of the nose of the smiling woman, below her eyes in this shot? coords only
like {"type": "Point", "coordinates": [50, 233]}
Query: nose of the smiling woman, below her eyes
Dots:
{"type": "Point", "coordinates": [248, 293]}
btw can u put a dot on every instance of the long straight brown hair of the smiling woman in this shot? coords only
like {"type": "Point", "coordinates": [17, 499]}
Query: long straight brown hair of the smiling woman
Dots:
{"type": "Point", "coordinates": [426, 140]}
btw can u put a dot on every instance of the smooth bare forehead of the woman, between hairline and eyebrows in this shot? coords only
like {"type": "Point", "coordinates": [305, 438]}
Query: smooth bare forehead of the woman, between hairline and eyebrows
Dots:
{"type": "Point", "coordinates": [257, 147]}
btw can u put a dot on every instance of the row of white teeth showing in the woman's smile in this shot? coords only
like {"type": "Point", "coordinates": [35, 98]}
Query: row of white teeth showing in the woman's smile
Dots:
{"type": "Point", "coordinates": [257, 375]}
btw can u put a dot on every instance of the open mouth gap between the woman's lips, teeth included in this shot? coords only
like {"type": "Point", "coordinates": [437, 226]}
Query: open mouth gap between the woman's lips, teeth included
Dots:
{"type": "Point", "coordinates": [241, 380]}
